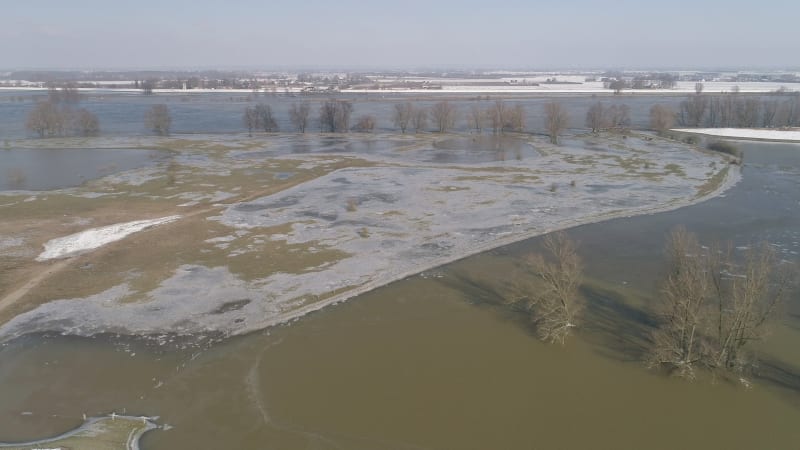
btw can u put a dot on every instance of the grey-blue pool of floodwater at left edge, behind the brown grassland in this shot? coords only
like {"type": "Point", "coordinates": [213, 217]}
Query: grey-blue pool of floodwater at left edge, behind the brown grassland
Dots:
{"type": "Point", "coordinates": [46, 169]}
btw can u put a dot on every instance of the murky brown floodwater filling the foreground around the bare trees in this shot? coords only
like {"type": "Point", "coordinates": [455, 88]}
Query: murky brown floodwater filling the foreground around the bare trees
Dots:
{"type": "Point", "coordinates": [437, 362]}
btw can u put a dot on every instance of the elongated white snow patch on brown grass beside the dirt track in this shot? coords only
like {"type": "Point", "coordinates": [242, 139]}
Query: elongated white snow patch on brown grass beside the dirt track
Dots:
{"type": "Point", "coordinates": [96, 237]}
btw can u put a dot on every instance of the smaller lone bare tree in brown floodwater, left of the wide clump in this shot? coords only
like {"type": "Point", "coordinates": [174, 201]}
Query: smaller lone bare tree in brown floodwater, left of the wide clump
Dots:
{"type": "Point", "coordinates": [555, 305]}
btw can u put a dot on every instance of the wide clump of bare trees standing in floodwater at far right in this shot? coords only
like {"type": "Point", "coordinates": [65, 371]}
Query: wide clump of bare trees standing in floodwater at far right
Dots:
{"type": "Point", "coordinates": [713, 305]}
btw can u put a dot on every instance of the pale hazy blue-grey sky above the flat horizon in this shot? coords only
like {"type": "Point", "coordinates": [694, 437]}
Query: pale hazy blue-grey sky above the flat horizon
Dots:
{"type": "Point", "coordinates": [401, 34]}
